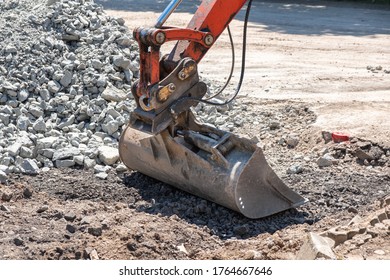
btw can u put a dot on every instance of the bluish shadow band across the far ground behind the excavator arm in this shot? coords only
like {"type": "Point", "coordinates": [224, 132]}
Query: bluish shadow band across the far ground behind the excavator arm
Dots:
{"type": "Point", "coordinates": [306, 17]}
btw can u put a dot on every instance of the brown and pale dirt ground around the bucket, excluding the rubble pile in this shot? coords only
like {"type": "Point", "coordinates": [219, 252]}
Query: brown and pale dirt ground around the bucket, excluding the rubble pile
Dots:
{"type": "Point", "coordinates": [313, 66]}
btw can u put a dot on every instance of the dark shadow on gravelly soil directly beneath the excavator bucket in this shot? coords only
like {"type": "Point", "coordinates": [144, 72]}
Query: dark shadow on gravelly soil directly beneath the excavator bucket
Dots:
{"type": "Point", "coordinates": [167, 201]}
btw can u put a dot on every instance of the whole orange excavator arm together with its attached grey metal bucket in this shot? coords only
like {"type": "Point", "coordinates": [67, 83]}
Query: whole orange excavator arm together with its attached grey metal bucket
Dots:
{"type": "Point", "coordinates": [165, 141]}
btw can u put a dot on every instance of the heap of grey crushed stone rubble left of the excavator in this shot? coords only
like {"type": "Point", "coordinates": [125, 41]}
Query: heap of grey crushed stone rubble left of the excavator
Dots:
{"type": "Point", "coordinates": [65, 75]}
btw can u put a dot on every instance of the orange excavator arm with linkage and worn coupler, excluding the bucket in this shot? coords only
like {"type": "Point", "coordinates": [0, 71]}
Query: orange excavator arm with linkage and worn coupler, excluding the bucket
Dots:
{"type": "Point", "coordinates": [157, 88]}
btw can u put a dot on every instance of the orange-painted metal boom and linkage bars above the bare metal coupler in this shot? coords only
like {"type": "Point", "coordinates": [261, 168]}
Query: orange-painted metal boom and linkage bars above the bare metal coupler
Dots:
{"type": "Point", "coordinates": [211, 18]}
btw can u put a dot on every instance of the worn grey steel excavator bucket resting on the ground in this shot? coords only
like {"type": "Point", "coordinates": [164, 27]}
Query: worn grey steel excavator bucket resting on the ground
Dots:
{"type": "Point", "coordinates": [210, 163]}
